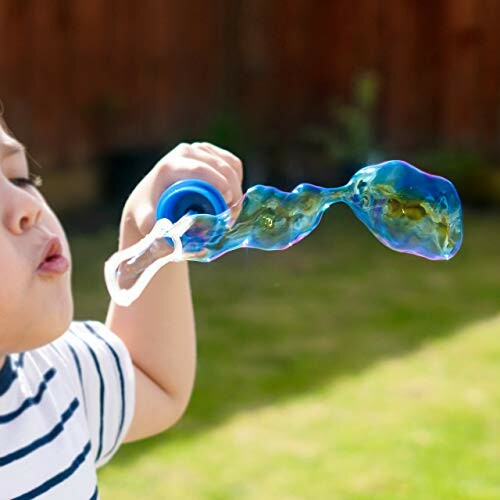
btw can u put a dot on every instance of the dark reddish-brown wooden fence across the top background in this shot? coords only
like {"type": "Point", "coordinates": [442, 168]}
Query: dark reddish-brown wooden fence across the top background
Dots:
{"type": "Point", "coordinates": [84, 76]}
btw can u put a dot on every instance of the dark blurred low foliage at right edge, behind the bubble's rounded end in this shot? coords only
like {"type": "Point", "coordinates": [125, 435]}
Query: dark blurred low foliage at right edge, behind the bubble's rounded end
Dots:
{"type": "Point", "coordinates": [472, 172]}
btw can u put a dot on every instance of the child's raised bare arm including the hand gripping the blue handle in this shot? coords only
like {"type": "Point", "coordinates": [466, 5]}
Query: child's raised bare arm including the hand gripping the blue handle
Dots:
{"type": "Point", "coordinates": [159, 327]}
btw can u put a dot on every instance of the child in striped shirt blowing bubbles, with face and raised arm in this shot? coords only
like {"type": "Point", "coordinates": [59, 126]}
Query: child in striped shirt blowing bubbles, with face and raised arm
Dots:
{"type": "Point", "coordinates": [72, 391]}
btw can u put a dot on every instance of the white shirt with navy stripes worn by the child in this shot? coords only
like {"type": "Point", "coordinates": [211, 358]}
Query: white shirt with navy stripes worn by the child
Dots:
{"type": "Point", "coordinates": [65, 408]}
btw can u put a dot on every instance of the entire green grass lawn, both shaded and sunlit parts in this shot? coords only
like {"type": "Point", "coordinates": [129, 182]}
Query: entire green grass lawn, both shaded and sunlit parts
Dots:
{"type": "Point", "coordinates": [335, 369]}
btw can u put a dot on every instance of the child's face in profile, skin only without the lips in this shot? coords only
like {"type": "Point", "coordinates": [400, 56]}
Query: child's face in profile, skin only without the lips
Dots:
{"type": "Point", "coordinates": [34, 308]}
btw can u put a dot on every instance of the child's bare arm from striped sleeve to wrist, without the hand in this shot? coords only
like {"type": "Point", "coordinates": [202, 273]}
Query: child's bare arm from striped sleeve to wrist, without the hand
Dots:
{"type": "Point", "coordinates": [159, 332]}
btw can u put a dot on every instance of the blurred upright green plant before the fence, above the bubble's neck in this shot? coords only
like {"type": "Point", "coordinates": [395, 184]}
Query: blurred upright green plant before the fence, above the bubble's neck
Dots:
{"type": "Point", "coordinates": [349, 137]}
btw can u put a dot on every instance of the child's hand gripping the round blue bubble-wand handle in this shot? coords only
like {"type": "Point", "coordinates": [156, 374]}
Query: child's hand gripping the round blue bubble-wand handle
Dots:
{"type": "Point", "coordinates": [200, 160]}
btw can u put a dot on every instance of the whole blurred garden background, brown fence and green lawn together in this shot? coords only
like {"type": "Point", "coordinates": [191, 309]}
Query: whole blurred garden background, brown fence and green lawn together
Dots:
{"type": "Point", "coordinates": [337, 368]}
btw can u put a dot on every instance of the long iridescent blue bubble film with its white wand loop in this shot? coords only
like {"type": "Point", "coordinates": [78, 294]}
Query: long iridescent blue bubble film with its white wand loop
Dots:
{"type": "Point", "coordinates": [407, 209]}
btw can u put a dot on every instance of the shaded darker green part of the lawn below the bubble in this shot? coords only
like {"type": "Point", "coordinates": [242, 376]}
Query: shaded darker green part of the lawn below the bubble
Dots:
{"type": "Point", "coordinates": [273, 325]}
